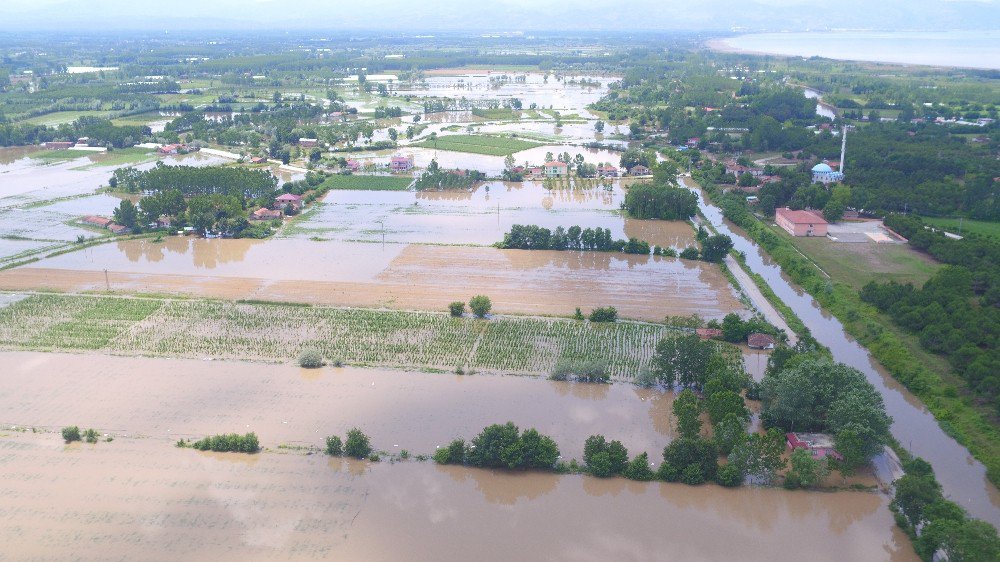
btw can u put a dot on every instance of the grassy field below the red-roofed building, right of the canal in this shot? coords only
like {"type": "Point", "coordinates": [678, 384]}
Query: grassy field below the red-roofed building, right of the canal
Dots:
{"type": "Point", "coordinates": [858, 263]}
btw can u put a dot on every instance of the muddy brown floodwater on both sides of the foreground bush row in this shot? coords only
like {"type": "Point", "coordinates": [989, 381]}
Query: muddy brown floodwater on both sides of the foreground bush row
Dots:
{"type": "Point", "coordinates": [141, 497]}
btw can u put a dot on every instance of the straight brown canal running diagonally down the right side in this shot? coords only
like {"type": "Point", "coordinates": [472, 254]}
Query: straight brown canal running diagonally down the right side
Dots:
{"type": "Point", "coordinates": [962, 477]}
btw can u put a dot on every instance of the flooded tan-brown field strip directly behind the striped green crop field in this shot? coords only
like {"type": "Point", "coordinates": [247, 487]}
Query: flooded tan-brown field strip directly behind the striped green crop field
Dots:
{"type": "Point", "coordinates": [391, 275]}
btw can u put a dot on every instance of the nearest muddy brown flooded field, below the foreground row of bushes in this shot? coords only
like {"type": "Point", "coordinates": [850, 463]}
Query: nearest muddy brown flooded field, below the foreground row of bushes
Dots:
{"type": "Point", "coordinates": [130, 498]}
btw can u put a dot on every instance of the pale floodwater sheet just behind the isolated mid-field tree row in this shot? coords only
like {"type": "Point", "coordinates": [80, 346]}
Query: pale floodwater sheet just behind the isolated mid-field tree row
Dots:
{"type": "Point", "coordinates": [480, 216]}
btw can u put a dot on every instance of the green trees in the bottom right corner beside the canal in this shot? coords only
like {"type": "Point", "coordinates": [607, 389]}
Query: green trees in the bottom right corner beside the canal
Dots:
{"type": "Point", "coordinates": [936, 524]}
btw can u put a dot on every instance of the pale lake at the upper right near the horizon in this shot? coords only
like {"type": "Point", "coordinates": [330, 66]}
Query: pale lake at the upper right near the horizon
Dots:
{"type": "Point", "coordinates": [979, 49]}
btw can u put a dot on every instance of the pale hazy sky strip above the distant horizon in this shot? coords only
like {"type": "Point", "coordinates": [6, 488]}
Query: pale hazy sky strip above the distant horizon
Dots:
{"type": "Point", "coordinates": [499, 15]}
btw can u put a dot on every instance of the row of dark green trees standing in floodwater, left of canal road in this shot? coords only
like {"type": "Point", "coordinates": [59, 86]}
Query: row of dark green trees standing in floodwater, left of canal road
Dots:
{"type": "Point", "coordinates": [533, 237]}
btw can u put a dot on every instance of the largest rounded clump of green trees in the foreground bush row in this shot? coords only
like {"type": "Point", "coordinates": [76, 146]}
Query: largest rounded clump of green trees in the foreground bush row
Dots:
{"type": "Point", "coordinates": [503, 446]}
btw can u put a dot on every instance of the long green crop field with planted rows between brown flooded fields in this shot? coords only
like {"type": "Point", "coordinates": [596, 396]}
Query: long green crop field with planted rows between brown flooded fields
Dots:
{"type": "Point", "coordinates": [276, 332]}
